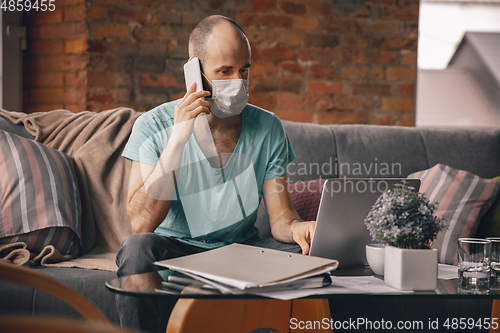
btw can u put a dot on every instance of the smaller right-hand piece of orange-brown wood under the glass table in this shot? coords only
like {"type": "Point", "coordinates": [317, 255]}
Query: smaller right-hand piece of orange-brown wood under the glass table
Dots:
{"type": "Point", "coordinates": [312, 312]}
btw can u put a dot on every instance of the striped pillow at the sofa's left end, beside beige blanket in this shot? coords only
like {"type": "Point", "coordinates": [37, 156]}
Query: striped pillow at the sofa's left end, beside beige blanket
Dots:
{"type": "Point", "coordinates": [40, 200]}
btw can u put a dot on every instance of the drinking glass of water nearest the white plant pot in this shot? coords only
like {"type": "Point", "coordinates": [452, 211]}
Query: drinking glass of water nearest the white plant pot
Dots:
{"type": "Point", "coordinates": [474, 265]}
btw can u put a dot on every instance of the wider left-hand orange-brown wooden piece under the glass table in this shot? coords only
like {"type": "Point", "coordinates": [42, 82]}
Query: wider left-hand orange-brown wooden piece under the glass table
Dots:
{"type": "Point", "coordinates": [230, 315]}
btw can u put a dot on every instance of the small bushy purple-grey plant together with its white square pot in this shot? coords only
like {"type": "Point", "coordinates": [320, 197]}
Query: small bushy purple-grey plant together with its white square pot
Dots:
{"type": "Point", "coordinates": [404, 221]}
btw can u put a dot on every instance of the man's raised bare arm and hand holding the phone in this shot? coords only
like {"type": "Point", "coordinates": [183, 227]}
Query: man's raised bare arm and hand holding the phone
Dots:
{"type": "Point", "coordinates": [151, 188]}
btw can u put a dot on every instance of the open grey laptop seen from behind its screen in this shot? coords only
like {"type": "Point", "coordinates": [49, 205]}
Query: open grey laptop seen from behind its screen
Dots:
{"type": "Point", "coordinates": [340, 231]}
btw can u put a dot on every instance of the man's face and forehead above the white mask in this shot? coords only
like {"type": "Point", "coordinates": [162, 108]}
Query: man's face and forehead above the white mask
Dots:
{"type": "Point", "coordinates": [228, 55]}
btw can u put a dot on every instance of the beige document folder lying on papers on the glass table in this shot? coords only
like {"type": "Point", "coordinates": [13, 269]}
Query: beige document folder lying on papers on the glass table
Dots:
{"type": "Point", "coordinates": [244, 266]}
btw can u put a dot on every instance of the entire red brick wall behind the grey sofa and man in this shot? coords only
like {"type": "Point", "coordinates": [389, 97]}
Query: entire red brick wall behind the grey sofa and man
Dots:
{"type": "Point", "coordinates": [330, 61]}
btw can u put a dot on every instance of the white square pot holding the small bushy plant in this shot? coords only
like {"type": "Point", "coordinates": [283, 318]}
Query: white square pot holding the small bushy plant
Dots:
{"type": "Point", "coordinates": [410, 269]}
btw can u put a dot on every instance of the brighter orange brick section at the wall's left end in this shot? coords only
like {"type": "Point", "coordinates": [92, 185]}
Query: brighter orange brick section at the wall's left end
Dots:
{"type": "Point", "coordinates": [56, 60]}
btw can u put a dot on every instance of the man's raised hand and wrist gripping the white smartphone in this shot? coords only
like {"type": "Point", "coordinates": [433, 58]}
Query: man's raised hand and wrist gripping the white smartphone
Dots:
{"type": "Point", "coordinates": [191, 106]}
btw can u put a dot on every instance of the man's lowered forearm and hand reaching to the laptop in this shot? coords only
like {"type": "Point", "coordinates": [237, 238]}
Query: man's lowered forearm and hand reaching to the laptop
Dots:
{"type": "Point", "coordinates": [286, 224]}
